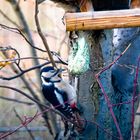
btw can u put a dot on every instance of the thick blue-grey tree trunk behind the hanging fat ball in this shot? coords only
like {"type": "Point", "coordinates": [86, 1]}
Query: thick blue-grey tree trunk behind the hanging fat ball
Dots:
{"type": "Point", "coordinates": [118, 83]}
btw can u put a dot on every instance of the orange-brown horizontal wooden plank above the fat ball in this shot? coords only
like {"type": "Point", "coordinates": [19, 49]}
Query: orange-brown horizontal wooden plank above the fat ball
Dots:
{"type": "Point", "coordinates": [103, 20]}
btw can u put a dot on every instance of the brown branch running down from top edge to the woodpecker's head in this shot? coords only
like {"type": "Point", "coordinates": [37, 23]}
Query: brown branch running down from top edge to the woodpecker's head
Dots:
{"type": "Point", "coordinates": [42, 36]}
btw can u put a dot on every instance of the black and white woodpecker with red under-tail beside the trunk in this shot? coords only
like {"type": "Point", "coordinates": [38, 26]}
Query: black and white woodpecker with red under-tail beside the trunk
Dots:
{"type": "Point", "coordinates": [59, 93]}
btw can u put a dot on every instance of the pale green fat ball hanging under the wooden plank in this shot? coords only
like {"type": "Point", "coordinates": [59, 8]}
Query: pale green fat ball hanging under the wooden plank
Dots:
{"type": "Point", "coordinates": [79, 56]}
